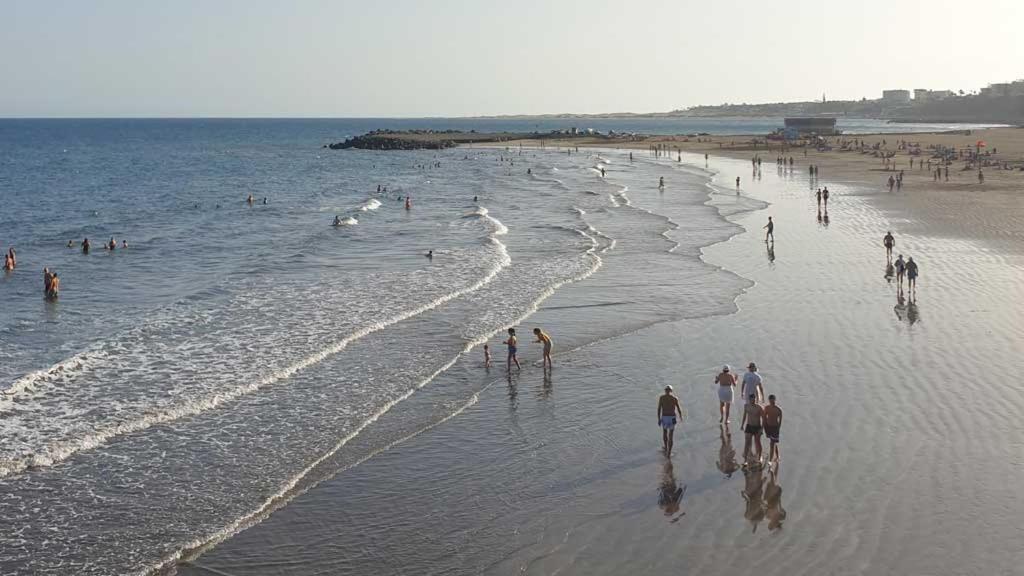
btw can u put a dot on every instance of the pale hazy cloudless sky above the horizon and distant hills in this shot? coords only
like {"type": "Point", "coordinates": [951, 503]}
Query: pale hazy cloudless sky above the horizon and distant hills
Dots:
{"type": "Point", "coordinates": [470, 58]}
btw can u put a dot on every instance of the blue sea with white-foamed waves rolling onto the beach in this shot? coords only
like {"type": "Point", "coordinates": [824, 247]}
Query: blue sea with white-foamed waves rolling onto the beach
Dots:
{"type": "Point", "coordinates": [182, 383]}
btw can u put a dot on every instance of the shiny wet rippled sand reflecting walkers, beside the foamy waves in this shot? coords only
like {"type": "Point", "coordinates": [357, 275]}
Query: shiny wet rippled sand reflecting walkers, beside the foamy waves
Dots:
{"type": "Point", "coordinates": [901, 443]}
